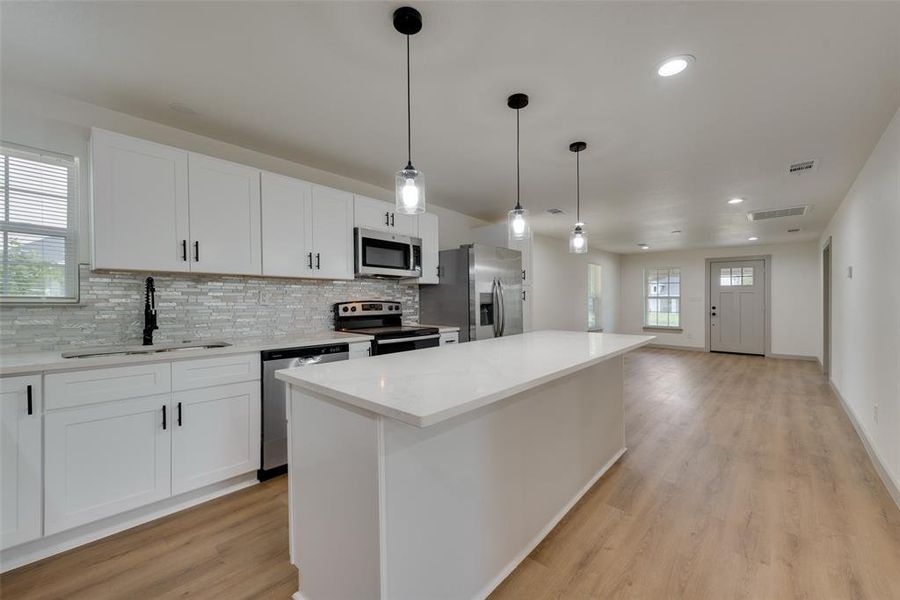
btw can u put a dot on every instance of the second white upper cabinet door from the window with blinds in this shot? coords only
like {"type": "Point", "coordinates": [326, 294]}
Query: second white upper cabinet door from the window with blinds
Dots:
{"type": "Point", "coordinates": [225, 217]}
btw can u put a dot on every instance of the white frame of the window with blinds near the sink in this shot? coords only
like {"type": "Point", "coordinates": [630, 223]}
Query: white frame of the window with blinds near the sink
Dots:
{"type": "Point", "coordinates": [70, 234]}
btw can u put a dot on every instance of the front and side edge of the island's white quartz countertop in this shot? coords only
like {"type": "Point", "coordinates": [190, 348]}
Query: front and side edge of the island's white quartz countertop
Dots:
{"type": "Point", "coordinates": [461, 409]}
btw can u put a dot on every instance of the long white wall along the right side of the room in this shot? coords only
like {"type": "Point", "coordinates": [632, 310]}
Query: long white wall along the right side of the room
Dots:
{"type": "Point", "coordinates": [865, 317]}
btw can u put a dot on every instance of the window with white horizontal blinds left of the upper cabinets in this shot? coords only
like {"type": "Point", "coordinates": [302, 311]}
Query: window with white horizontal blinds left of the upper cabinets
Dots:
{"type": "Point", "coordinates": [38, 226]}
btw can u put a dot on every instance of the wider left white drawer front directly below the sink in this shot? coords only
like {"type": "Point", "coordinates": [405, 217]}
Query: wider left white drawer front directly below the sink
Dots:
{"type": "Point", "coordinates": [80, 388]}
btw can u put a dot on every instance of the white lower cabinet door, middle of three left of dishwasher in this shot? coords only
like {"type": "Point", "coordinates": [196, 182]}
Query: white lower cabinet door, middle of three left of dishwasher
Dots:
{"type": "Point", "coordinates": [105, 459]}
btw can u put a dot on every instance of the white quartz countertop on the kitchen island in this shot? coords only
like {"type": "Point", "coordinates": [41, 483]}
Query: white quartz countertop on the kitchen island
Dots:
{"type": "Point", "coordinates": [428, 386]}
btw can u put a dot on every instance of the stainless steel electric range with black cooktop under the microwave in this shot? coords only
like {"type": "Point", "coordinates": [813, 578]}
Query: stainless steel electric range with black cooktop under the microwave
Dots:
{"type": "Point", "coordinates": [383, 320]}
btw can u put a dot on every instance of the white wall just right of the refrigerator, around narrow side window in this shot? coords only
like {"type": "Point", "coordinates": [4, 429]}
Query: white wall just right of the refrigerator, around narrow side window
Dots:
{"type": "Point", "coordinates": [559, 293]}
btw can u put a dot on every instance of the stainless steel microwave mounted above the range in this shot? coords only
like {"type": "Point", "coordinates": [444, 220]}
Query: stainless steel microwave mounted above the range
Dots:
{"type": "Point", "coordinates": [383, 254]}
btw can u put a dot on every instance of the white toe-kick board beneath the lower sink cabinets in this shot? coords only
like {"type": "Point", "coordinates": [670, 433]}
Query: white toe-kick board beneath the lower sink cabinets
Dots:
{"type": "Point", "coordinates": [44, 547]}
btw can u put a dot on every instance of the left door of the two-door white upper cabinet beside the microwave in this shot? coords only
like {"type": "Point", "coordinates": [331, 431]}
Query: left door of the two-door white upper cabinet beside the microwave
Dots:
{"type": "Point", "coordinates": [286, 213]}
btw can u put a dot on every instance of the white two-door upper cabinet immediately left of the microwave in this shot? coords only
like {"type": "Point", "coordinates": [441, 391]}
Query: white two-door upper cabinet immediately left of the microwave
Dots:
{"type": "Point", "coordinates": [307, 229]}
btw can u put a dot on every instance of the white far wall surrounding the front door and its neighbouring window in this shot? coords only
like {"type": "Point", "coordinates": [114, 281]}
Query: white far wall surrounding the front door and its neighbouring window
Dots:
{"type": "Point", "coordinates": [795, 322]}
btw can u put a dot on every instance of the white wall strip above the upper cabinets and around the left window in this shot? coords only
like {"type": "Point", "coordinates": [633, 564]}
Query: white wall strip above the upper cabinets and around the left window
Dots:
{"type": "Point", "coordinates": [40, 119]}
